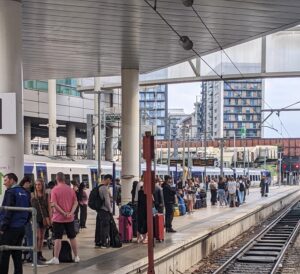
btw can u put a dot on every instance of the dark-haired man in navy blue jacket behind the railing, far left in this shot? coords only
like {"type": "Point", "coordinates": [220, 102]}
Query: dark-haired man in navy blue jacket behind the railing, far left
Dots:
{"type": "Point", "coordinates": [12, 223]}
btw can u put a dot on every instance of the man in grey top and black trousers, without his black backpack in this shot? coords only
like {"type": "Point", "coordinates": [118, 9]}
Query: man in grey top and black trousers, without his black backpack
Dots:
{"type": "Point", "coordinates": [104, 213]}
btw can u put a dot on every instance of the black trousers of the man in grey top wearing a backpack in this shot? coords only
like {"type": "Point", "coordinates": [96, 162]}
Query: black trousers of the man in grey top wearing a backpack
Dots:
{"type": "Point", "coordinates": [102, 228]}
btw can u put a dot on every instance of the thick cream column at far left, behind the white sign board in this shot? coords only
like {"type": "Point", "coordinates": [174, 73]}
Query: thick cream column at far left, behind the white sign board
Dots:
{"type": "Point", "coordinates": [11, 146]}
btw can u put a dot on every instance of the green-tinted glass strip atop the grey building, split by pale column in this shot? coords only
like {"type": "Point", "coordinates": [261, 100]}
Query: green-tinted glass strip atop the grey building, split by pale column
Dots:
{"type": "Point", "coordinates": [64, 86]}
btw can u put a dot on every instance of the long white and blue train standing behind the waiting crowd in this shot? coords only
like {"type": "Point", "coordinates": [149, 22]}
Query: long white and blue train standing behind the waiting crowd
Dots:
{"type": "Point", "coordinates": [86, 170]}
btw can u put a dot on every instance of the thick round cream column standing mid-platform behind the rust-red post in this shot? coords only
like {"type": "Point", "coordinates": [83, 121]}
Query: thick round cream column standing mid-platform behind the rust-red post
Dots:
{"type": "Point", "coordinates": [130, 131]}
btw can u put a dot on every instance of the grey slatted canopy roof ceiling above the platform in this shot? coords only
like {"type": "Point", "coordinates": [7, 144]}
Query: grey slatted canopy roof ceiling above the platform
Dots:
{"type": "Point", "coordinates": [75, 38]}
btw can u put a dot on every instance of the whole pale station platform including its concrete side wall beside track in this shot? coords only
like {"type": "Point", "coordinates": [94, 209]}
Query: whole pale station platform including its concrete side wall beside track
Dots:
{"type": "Point", "coordinates": [198, 234]}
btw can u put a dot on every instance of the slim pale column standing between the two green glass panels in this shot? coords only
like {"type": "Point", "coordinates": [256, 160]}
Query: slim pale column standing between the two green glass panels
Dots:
{"type": "Point", "coordinates": [52, 116]}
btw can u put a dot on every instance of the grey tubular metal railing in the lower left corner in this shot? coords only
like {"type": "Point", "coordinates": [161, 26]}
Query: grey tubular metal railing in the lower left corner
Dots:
{"type": "Point", "coordinates": [34, 231]}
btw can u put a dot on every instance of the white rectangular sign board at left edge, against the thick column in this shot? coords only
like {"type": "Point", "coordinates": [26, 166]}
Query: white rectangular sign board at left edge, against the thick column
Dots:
{"type": "Point", "coordinates": [8, 115]}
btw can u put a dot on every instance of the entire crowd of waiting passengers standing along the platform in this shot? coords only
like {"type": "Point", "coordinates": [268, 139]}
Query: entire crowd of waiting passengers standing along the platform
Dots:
{"type": "Point", "coordinates": [60, 205]}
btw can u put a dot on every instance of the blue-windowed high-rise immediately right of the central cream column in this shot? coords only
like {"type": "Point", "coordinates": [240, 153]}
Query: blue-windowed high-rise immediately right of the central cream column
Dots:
{"type": "Point", "coordinates": [154, 109]}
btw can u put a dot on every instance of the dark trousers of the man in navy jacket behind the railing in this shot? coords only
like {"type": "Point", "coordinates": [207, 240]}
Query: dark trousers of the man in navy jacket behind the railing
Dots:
{"type": "Point", "coordinates": [13, 236]}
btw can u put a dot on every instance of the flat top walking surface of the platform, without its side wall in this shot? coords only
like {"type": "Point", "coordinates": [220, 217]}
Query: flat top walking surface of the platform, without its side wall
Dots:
{"type": "Point", "coordinates": [189, 227]}
